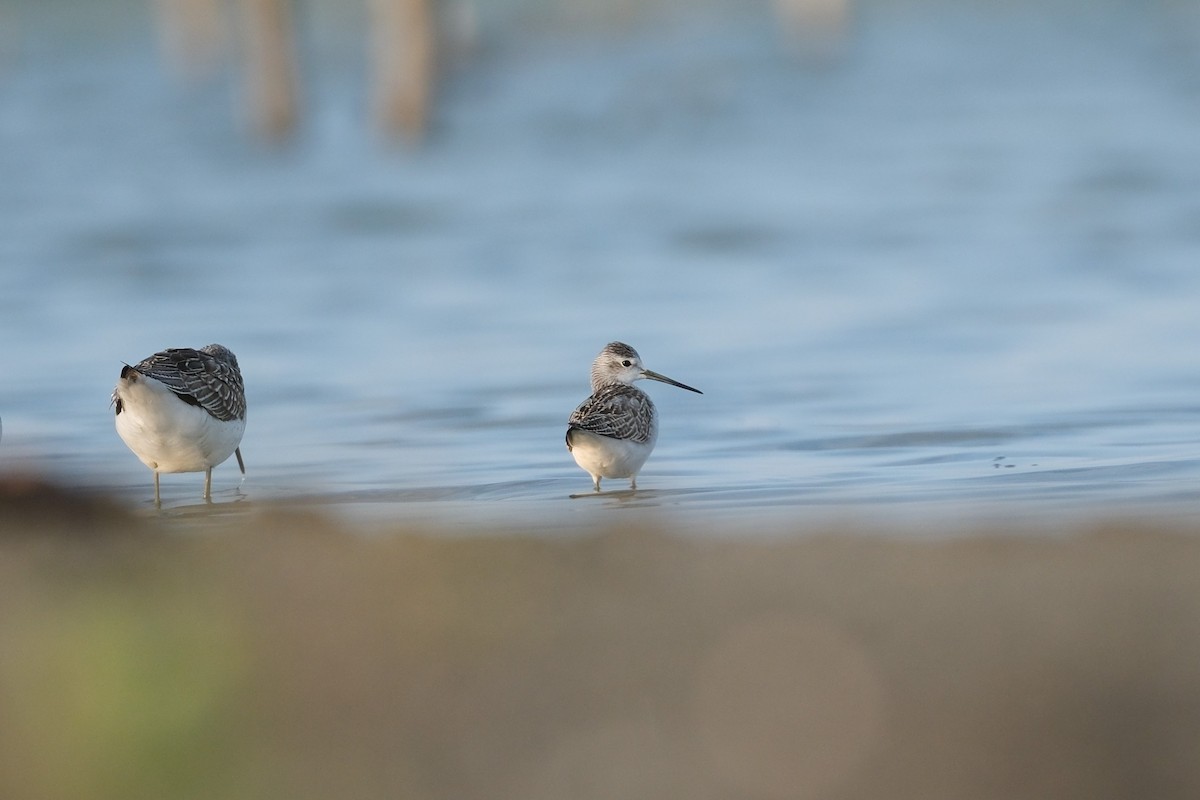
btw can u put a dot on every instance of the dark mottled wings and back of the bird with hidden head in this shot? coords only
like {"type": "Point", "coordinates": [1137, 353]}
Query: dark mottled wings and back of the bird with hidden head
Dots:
{"type": "Point", "coordinates": [209, 378]}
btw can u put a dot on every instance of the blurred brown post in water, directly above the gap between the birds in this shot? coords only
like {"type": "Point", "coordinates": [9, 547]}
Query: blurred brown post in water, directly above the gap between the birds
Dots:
{"type": "Point", "coordinates": [403, 65]}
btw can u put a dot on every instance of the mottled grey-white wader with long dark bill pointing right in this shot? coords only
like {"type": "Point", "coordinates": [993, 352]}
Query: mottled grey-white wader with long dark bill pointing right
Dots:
{"type": "Point", "coordinates": [613, 434]}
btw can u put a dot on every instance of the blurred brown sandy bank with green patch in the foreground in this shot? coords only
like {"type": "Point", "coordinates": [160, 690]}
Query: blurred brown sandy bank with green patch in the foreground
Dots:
{"type": "Point", "coordinates": [279, 655]}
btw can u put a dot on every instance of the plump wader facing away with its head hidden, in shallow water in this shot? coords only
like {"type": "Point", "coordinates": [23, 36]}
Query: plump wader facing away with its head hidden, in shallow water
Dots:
{"type": "Point", "coordinates": [183, 411]}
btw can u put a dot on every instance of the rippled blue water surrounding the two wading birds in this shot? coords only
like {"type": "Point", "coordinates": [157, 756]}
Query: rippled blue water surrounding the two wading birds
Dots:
{"type": "Point", "coordinates": [951, 274]}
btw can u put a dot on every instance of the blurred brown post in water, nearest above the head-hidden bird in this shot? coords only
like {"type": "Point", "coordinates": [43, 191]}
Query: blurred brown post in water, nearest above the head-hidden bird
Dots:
{"type": "Point", "coordinates": [269, 62]}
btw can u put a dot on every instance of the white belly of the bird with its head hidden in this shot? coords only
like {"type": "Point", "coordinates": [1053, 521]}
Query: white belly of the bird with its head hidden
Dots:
{"type": "Point", "coordinates": [171, 436]}
